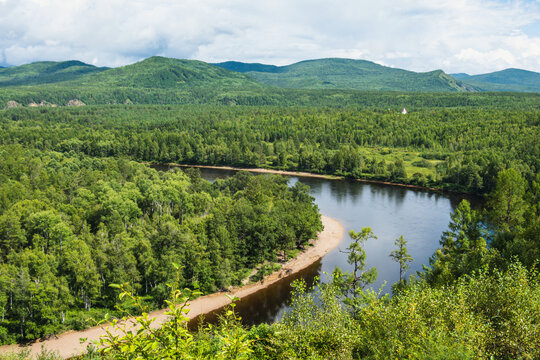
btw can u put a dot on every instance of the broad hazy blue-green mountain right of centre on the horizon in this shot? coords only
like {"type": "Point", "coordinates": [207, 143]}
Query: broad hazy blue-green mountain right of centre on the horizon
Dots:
{"type": "Point", "coordinates": [335, 73]}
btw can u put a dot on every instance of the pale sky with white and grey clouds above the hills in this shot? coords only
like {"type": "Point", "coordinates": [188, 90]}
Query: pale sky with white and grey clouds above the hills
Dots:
{"type": "Point", "coordinates": [473, 36]}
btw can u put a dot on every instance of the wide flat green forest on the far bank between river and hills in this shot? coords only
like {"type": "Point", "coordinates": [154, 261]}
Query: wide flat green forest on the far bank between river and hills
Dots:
{"type": "Point", "coordinates": [459, 149]}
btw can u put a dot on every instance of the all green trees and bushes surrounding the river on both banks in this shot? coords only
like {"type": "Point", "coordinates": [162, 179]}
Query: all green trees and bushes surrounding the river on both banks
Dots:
{"type": "Point", "coordinates": [68, 181]}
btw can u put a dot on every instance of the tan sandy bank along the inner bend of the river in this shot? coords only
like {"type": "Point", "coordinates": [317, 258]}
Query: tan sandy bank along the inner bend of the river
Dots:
{"type": "Point", "coordinates": [68, 344]}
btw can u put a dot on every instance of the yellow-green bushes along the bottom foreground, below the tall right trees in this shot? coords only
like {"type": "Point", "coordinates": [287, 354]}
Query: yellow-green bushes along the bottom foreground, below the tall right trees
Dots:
{"type": "Point", "coordinates": [485, 315]}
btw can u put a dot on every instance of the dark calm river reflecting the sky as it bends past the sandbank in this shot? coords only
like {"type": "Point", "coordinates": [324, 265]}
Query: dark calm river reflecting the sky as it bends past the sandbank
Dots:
{"type": "Point", "coordinates": [419, 215]}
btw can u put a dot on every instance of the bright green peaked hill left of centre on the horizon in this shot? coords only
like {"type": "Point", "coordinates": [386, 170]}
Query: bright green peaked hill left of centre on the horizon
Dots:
{"type": "Point", "coordinates": [166, 73]}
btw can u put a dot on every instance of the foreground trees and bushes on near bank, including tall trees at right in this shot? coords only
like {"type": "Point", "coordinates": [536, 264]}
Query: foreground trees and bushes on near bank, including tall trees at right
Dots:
{"type": "Point", "coordinates": [473, 302]}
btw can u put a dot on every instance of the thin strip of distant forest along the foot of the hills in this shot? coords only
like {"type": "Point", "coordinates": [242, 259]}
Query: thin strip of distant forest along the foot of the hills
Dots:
{"type": "Point", "coordinates": [52, 94]}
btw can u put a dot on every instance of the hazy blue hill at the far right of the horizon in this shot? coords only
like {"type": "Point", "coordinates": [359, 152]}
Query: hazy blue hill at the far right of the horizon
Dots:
{"type": "Point", "coordinates": [505, 80]}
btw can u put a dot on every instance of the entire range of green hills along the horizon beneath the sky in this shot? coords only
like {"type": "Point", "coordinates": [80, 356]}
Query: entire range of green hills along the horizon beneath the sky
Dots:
{"type": "Point", "coordinates": [172, 74]}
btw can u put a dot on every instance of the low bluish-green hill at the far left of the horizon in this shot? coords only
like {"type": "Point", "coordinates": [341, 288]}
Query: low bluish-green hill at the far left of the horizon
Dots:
{"type": "Point", "coordinates": [45, 72]}
